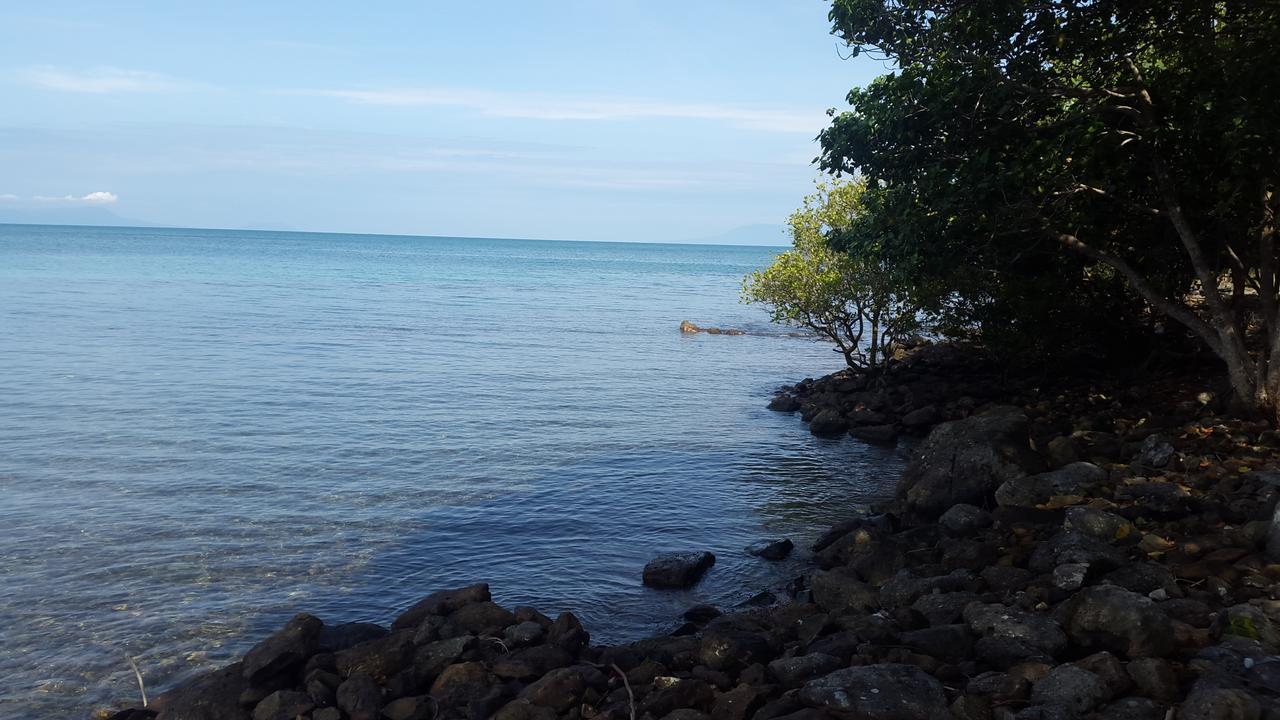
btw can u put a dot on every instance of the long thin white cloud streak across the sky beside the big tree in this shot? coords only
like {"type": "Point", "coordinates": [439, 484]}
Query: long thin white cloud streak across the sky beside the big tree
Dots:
{"type": "Point", "coordinates": [552, 108]}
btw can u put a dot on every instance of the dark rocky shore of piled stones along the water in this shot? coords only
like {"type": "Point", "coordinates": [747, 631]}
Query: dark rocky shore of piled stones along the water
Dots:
{"type": "Point", "coordinates": [1053, 553]}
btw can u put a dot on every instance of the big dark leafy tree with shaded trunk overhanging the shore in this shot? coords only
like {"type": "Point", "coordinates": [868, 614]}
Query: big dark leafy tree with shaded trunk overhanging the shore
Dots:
{"type": "Point", "coordinates": [1136, 140]}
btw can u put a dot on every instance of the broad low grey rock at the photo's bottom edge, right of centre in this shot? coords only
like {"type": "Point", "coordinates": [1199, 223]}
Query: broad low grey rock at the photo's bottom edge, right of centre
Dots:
{"type": "Point", "coordinates": [879, 692]}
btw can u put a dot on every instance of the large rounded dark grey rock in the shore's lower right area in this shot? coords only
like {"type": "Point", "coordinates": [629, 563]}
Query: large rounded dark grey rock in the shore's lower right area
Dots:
{"type": "Point", "coordinates": [1116, 619]}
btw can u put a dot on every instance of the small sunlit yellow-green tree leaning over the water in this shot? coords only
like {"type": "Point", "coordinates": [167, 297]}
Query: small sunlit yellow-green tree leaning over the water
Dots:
{"type": "Point", "coordinates": [845, 299]}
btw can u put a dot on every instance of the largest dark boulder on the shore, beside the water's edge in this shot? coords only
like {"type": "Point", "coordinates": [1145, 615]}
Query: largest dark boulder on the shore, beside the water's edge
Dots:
{"type": "Point", "coordinates": [966, 462]}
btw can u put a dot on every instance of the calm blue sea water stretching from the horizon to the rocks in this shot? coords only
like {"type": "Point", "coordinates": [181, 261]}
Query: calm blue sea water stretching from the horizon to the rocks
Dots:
{"type": "Point", "coordinates": [204, 432]}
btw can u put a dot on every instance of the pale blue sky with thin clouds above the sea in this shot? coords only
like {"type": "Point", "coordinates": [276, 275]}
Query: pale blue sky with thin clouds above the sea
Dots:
{"type": "Point", "coordinates": [569, 120]}
